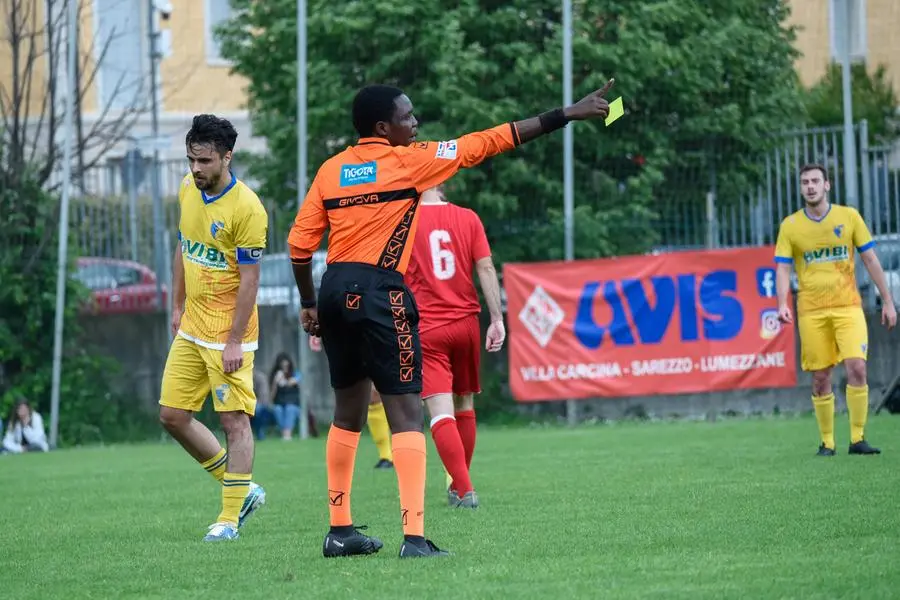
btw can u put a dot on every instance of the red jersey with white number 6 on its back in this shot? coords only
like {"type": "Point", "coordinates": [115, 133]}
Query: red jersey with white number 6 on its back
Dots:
{"type": "Point", "coordinates": [449, 241]}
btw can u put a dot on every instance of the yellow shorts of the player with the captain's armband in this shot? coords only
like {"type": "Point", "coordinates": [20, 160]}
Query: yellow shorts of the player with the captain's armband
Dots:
{"type": "Point", "coordinates": [192, 371]}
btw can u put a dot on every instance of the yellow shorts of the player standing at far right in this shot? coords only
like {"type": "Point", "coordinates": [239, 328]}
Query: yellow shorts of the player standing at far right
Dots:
{"type": "Point", "coordinates": [831, 336]}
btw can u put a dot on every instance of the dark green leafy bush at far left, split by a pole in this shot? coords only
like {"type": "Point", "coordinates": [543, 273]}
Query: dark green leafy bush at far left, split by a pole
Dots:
{"type": "Point", "coordinates": [28, 270]}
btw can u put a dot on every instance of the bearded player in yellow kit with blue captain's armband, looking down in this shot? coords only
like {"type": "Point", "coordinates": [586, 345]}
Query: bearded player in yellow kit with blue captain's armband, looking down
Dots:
{"type": "Point", "coordinates": [215, 277]}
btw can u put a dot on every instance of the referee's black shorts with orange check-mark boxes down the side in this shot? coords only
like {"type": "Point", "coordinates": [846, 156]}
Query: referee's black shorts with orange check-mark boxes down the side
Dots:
{"type": "Point", "coordinates": [370, 328]}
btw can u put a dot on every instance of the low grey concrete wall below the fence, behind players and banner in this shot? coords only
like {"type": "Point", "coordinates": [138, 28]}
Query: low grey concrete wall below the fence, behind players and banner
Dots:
{"type": "Point", "coordinates": [138, 343]}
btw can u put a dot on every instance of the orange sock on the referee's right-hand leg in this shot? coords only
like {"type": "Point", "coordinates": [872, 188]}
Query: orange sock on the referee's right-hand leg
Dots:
{"type": "Point", "coordinates": [409, 462]}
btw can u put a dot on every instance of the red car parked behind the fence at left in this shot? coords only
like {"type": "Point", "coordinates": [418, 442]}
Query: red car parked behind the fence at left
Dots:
{"type": "Point", "coordinates": [119, 286]}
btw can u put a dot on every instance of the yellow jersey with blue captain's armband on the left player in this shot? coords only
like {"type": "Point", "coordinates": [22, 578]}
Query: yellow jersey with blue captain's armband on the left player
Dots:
{"type": "Point", "coordinates": [217, 233]}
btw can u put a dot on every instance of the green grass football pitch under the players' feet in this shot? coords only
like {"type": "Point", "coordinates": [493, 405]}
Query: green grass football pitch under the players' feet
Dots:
{"type": "Point", "coordinates": [734, 509]}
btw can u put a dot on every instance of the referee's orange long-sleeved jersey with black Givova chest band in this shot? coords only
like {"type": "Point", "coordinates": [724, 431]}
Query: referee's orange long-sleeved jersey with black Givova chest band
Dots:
{"type": "Point", "coordinates": [368, 195]}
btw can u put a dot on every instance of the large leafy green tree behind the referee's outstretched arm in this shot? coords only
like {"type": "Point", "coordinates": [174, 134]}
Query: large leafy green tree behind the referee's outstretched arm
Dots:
{"type": "Point", "coordinates": [702, 81]}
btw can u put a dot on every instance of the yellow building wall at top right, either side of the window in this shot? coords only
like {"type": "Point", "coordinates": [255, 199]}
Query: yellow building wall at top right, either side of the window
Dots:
{"type": "Point", "coordinates": [814, 37]}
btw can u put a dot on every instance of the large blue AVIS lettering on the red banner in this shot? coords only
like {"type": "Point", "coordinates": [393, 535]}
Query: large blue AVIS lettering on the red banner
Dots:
{"type": "Point", "coordinates": [713, 294]}
